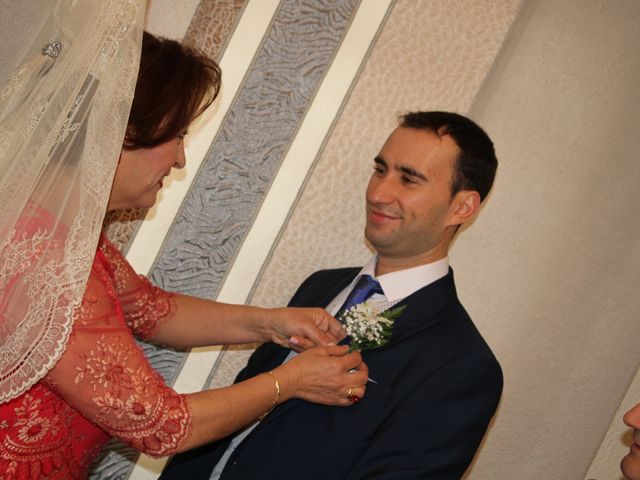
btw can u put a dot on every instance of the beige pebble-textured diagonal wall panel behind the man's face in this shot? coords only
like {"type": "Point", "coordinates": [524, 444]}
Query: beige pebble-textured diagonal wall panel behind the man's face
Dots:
{"type": "Point", "coordinates": [430, 55]}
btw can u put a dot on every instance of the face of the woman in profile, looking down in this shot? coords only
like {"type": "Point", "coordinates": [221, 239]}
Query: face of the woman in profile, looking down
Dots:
{"type": "Point", "coordinates": [140, 172]}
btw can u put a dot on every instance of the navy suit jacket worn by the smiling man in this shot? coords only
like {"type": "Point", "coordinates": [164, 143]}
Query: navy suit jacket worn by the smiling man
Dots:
{"type": "Point", "coordinates": [438, 385]}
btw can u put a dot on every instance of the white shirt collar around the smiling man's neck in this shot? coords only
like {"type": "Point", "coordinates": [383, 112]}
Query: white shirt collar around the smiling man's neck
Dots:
{"type": "Point", "coordinates": [401, 284]}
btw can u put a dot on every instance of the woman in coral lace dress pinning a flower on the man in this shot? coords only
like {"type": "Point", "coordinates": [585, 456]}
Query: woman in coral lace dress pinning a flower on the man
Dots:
{"type": "Point", "coordinates": [102, 385]}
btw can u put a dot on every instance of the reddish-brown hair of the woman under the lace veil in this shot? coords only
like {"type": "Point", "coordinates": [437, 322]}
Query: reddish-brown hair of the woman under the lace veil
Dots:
{"type": "Point", "coordinates": [175, 85]}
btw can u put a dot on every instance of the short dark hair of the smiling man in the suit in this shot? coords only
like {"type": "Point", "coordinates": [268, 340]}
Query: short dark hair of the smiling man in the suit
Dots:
{"type": "Point", "coordinates": [475, 168]}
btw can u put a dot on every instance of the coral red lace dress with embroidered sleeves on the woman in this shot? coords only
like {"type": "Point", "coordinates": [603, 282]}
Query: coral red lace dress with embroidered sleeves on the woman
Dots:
{"type": "Point", "coordinates": [102, 386]}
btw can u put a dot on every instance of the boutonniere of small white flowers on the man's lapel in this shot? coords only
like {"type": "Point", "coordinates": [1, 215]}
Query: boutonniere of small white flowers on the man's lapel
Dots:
{"type": "Point", "coordinates": [367, 326]}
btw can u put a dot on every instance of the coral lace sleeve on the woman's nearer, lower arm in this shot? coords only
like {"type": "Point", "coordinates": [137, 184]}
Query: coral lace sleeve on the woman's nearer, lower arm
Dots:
{"type": "Point", "coordinates": [105, 376]}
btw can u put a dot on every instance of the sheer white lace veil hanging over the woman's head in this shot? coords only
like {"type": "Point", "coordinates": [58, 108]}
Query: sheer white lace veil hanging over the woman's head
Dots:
{"type": "Point", "coordinates": [67, 75]}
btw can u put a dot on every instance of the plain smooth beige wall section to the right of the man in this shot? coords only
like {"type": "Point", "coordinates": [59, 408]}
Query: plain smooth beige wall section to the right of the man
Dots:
{"type": "Point", "coordinates": [550, 270]}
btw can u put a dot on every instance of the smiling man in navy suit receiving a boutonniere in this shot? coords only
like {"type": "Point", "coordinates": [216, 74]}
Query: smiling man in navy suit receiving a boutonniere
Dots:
{"type": "Point", "coordinates": [435, 385]}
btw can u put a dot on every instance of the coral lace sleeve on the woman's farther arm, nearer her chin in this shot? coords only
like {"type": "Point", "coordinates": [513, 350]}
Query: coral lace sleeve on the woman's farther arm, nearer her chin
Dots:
{"type": "Point", "coordinates": [144, 305]}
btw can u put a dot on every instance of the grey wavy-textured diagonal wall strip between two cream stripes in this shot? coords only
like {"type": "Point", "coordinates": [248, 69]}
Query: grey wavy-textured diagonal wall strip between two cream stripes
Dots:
{"type": "Point", "coordinates": [247, 151]}
